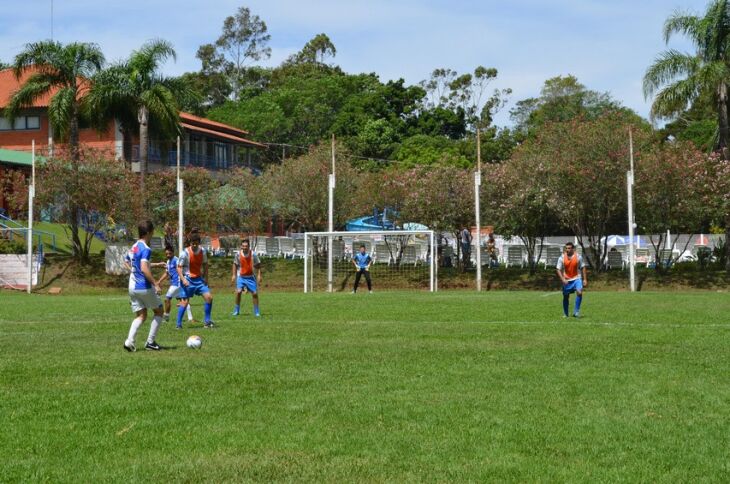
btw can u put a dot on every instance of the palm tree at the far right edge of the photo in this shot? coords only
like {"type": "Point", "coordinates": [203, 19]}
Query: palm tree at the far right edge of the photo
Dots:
{"type": "Point", "coordinates": [678, 78]}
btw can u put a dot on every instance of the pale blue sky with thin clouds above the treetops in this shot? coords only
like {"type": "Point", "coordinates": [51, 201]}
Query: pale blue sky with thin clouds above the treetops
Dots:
{"type": "Point", "coordinates": [606, 44]}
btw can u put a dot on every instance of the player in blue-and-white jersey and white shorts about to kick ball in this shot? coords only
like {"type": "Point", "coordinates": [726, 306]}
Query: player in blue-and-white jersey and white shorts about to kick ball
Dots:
{"type": "Point", "coordinates": [143, 290]}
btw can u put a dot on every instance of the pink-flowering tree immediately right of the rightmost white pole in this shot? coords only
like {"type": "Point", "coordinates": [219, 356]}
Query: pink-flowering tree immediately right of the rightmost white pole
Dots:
{"type": "Point", "coordinates": [673, 191]}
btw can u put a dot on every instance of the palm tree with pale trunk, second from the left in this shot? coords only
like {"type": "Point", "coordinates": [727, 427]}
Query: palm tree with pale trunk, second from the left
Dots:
{"type": "Point", "coordinates": [133, 91]}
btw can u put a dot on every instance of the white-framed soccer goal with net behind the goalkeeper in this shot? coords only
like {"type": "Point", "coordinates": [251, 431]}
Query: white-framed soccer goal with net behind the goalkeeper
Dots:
{"type": "Point", "coordinates": [401, 259]}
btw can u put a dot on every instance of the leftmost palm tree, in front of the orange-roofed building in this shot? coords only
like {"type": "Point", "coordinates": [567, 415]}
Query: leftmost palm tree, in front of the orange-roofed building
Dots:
{"type": "Point", "coordinates": [64, 71]}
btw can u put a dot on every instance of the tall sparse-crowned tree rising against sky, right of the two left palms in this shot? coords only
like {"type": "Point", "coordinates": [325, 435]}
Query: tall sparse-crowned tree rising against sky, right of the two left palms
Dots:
{"type": "Point", "coordinates": [244, 39]}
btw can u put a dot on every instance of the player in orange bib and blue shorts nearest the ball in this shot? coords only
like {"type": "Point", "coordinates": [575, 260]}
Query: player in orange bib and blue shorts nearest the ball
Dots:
{"type": "Point", "coordinates": [192, 269]}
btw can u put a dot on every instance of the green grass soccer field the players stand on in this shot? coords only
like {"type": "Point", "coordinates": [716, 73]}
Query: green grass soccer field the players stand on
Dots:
{"type": "Point", "coordinates": [396, 386]}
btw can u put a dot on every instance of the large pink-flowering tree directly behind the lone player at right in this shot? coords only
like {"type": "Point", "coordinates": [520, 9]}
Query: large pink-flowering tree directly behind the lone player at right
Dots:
{"type": "Point", "coordinates": [586, 163]}
